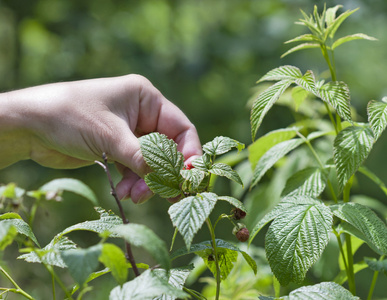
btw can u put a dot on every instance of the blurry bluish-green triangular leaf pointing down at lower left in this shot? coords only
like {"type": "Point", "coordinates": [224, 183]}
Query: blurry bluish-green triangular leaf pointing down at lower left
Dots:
{"type": "Point", "coordinates": [82, 262]}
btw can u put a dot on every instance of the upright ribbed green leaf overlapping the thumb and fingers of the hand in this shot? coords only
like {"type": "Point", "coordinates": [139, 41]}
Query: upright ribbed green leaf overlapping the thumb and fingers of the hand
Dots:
{"type": "Point", "coordinates": [161, 154]}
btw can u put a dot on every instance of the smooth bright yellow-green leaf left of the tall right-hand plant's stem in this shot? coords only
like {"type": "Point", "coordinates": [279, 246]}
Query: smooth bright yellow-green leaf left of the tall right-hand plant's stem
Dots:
{"type": "Point", "coordinates": [264, 143]}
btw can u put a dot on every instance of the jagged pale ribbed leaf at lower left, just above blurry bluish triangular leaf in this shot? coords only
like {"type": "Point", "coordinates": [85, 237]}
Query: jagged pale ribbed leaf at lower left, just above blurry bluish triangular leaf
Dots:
{"type": "Point", "coordinates": [51, 253]}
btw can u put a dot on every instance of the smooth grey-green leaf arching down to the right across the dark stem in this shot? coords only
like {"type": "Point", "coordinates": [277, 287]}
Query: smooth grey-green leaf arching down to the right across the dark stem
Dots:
{"type": "Point", "coordinates": [141, 236]}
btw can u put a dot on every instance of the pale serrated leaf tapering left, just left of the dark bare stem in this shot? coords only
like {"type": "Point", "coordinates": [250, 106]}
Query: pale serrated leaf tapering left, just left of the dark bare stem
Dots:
{"type": "Point", "coordinates": [106, 222]}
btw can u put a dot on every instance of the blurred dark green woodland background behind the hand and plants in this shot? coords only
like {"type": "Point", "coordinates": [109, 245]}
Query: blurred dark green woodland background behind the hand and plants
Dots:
{"type": "Point", "coordinates": [205, 56]}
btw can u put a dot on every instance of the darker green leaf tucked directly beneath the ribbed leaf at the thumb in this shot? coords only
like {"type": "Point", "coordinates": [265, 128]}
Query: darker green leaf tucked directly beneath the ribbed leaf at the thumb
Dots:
{"type": "Point", "coordinates": [163, 186]}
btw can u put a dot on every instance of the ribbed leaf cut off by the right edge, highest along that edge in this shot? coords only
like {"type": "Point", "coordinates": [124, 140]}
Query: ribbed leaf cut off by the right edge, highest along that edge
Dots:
{"type": "Point", "coordinates": [377, 116]}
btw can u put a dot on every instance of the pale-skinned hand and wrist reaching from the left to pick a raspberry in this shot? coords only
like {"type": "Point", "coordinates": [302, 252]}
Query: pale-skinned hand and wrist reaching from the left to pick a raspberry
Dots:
{"type": "Point", "coordinates": [69, 125]}
